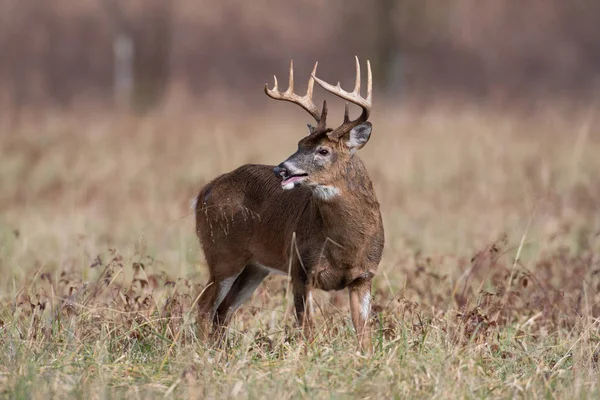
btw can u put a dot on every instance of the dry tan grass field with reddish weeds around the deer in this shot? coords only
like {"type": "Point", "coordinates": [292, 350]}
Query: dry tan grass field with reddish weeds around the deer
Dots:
{"type": "Point", "coordinates": [489, 286]}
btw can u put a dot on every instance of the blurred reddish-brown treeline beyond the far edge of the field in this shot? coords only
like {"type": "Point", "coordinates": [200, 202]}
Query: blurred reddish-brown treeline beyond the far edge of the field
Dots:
{"type": "Point", "coordinates": [140, 53]}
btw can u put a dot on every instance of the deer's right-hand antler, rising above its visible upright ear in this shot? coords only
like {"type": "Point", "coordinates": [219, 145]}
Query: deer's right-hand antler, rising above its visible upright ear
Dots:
{"type": "Point", "coordinates": [353, 97]}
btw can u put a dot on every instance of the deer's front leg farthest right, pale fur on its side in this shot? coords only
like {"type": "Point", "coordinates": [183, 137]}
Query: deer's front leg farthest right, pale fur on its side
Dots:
{"type": "Point", "coordinates": [360, 309]}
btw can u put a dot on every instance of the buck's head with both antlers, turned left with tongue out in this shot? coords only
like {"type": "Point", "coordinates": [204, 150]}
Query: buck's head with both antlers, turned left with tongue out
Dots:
{"type": "Point", "coordinates": [323, 155]}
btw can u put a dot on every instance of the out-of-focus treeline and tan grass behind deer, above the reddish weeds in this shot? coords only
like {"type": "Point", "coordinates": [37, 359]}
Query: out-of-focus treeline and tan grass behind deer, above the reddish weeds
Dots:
{"type": "Point", "coordinates": [114, 113]}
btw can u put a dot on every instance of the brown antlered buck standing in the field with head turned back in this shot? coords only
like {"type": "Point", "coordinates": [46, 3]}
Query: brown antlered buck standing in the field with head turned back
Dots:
{"type": "Point", "coordinates": [314, 217]}
